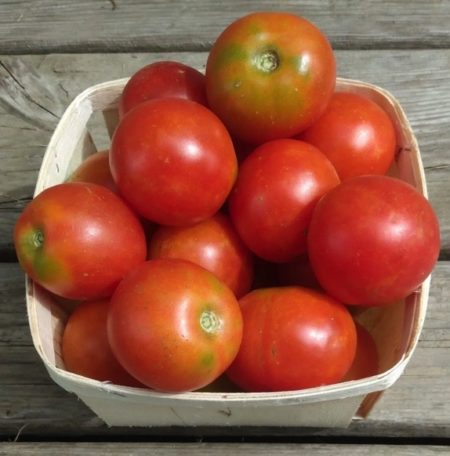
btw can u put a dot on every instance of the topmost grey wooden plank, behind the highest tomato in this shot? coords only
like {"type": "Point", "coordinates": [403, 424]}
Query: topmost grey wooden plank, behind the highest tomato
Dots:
{"type": "Point", "coordinates": [131, 26]}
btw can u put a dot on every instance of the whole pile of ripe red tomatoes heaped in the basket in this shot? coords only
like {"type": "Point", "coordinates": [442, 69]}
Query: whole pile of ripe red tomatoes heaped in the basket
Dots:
{"type": "Point", "coordinates": [236, 219]}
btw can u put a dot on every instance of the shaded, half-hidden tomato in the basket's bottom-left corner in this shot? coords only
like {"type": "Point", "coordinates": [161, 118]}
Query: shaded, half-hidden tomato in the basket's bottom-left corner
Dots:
{"type": "Point", "coordinates": [85, 346]}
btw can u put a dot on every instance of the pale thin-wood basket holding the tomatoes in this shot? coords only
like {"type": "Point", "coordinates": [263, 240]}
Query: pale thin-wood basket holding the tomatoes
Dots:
{"type": "Point", "coordinates": [396, 328]}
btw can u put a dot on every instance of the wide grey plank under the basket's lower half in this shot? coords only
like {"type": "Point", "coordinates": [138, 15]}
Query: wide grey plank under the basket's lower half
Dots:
{"type": "Point", "coordinates": [417, 406]}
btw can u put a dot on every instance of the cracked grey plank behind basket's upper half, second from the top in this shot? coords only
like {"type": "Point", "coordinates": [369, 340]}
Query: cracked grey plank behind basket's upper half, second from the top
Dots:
{"type": "Point", "coordinates": [34, 91]}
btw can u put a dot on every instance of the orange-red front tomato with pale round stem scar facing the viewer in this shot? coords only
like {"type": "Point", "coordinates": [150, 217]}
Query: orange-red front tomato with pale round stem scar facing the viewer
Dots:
{"type": "Point", "coordinates": [174, 325]}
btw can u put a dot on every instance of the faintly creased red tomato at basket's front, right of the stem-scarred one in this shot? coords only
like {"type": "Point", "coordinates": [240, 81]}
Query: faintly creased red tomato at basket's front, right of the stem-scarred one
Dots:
{"type": "Point", "coordinates": [293, 338]}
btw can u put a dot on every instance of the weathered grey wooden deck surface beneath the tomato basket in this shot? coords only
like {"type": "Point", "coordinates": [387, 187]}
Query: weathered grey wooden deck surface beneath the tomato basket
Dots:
{"type": "Point", "coordinates": [50, 51]}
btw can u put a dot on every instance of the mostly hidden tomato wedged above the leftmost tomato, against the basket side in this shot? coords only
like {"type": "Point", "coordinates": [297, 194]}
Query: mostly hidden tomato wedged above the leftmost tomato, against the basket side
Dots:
{"type": "Point", "coordinates": [95, 169]}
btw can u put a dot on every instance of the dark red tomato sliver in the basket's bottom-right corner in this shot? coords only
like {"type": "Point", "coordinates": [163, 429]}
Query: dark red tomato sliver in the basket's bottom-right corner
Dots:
{"type": "Point", "coordinates": [366, 361]}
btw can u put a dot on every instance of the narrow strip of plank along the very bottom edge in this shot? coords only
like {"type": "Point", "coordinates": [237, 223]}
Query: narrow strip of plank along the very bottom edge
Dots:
{"type": "Point", "coordinates": [210, 448]}
